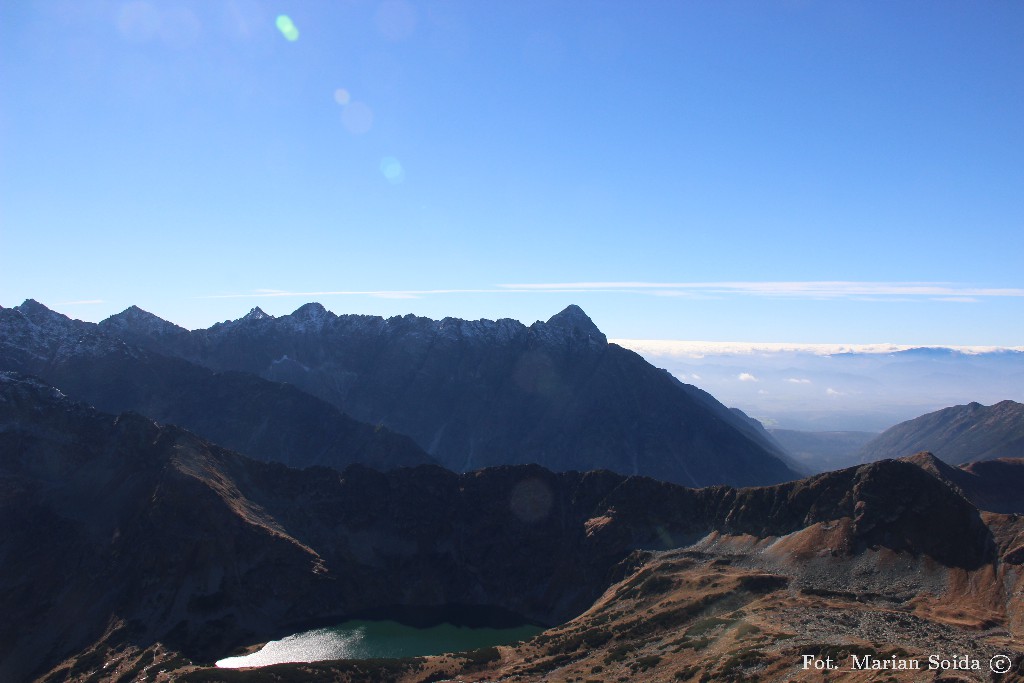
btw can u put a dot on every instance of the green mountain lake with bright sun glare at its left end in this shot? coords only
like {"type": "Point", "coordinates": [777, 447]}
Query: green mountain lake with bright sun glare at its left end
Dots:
{"type": "Point", "coordinates": [365, 639]}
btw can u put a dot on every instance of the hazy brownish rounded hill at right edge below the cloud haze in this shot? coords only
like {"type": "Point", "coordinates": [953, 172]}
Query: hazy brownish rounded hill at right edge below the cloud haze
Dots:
{"type": "Point", "coordinates": [959, 435]}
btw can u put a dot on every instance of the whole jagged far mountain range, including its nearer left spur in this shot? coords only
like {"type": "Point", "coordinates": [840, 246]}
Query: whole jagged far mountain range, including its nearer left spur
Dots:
{"type": "Point", "coordinates": [470, 395]}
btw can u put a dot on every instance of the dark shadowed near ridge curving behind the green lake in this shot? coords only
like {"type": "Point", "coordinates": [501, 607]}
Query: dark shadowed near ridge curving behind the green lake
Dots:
{"type": "Point", "coordinates": [131, 544]}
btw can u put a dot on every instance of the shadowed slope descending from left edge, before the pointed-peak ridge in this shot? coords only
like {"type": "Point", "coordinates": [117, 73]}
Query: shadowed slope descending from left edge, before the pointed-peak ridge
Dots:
{"type": "Point", "coordinates": [266, 420]}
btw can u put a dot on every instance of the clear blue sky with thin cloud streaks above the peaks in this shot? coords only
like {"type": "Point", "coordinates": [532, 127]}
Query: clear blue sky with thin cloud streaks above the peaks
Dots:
{"type": "Point", "coordinates": [740, 172]}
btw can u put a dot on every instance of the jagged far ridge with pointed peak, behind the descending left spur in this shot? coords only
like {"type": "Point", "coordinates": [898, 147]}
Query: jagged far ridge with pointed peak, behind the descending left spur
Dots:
{"type": "Point", "coordinates": [480, 394]}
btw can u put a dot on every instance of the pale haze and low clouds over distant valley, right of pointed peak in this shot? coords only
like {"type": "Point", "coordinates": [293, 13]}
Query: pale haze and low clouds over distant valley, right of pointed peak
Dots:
{"type": "Point", "coordinates": [822, 388]}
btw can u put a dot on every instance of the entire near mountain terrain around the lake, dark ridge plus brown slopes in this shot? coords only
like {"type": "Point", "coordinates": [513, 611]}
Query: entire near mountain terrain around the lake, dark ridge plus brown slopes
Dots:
{"type": "Point", "coordinates": [139, 550]}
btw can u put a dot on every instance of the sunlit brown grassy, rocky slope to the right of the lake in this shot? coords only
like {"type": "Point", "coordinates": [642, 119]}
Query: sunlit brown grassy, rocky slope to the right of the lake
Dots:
{"type": "Point", "coordinates": [741, 609]}
